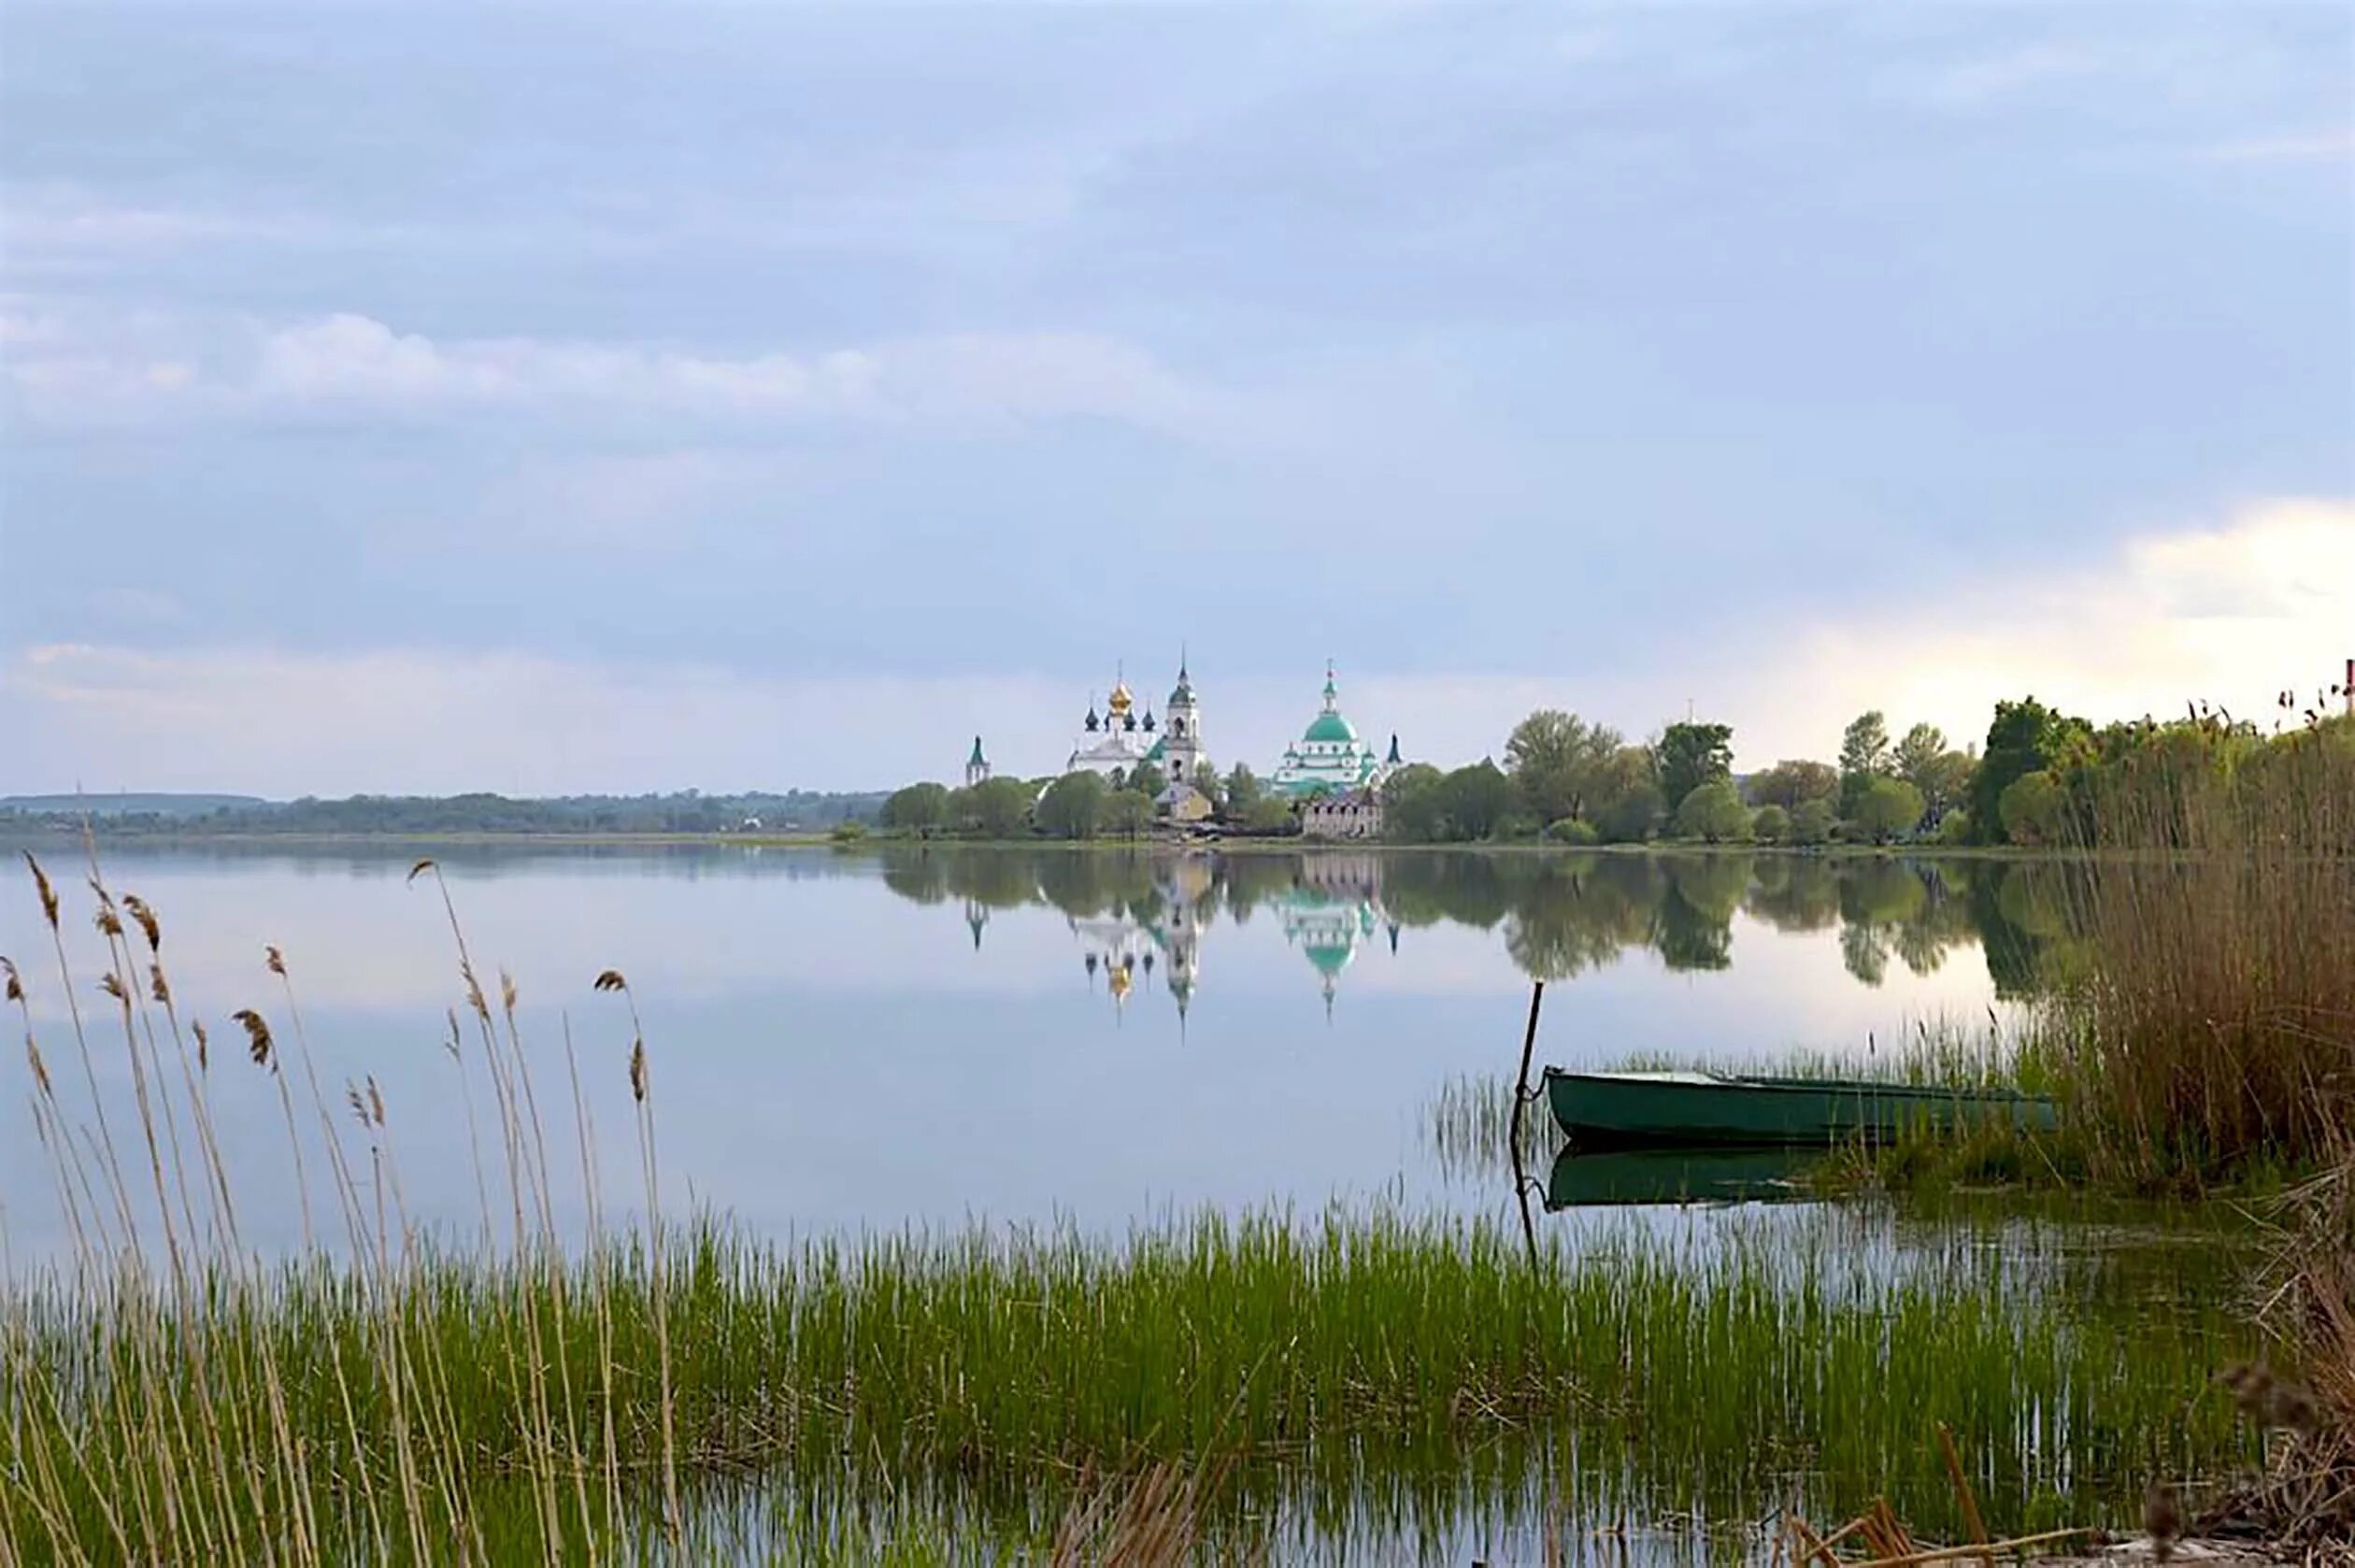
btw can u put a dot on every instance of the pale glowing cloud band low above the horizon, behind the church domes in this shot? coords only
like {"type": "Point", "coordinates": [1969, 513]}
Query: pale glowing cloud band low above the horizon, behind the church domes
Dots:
{"type": "Point", "coordinates": [2229, 616]}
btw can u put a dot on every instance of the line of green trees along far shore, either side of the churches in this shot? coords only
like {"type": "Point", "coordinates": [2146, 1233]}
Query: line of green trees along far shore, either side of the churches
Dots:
{"type": "Point", "coordinates": [2034, 785]}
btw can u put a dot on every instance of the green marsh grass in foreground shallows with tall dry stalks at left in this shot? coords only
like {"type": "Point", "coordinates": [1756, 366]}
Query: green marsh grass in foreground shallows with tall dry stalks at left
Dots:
{"type": "Point", "coordinates": [397, 1395]}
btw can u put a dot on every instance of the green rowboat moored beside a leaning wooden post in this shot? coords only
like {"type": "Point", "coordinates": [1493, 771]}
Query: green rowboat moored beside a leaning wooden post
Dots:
{"type": "Point", "coordinates": [1730, 1110]}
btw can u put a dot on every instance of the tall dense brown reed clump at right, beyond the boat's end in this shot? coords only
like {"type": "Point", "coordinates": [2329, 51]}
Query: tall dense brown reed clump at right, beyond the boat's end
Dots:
{"type": "Point", "coordinates": [2213, 1025]}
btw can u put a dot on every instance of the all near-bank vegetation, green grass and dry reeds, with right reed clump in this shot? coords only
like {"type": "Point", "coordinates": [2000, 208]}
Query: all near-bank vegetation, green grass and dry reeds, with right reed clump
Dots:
{"type": "Point", "coordinates": [644, 1386]}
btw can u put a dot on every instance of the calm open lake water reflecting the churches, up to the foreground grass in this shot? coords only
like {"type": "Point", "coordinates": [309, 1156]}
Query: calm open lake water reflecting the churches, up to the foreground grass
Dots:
{"type": "Point", "coordinates": [922, 1037]}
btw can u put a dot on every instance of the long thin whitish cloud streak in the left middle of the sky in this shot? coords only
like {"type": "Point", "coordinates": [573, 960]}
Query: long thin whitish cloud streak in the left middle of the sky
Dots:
{"type": "Point", "coordinates": [343, 366]}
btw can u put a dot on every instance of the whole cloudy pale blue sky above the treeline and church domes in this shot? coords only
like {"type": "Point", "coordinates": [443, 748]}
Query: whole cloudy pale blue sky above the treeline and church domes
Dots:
{"type": "Point", "coordinates": [628, 399]}
